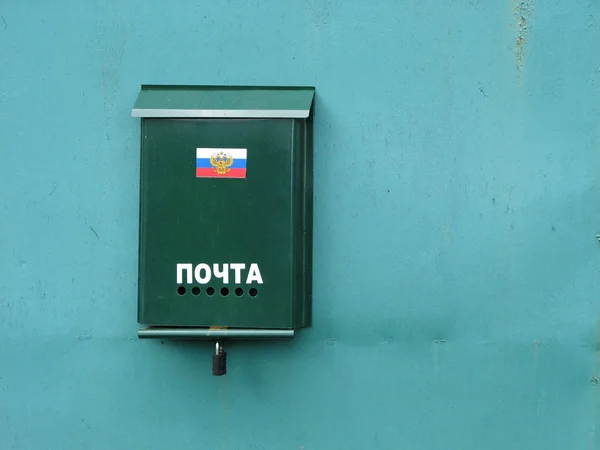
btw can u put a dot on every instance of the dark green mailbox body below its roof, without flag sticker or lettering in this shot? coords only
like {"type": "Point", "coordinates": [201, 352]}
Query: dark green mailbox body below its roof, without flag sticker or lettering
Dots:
{"type": "Point", "coordinates": [263, 219]}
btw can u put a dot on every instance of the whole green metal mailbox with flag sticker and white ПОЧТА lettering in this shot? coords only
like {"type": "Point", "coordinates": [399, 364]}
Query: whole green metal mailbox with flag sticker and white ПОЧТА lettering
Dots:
{"type": "Point", "coordinates": [225, 245]}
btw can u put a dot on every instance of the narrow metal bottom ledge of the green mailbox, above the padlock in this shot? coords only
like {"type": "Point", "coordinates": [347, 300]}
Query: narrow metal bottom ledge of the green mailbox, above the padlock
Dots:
{"type": "Point", "coordinates": [206, 333]}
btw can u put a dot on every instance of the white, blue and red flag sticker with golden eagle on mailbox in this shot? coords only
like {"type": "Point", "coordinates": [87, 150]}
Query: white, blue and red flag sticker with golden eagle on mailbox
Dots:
{"type": "Point", "coordinates": [221, 162]}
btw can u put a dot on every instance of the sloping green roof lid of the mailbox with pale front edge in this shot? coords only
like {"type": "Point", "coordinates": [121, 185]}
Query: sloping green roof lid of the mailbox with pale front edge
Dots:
{"type": "Point", "coordinates": [224, 102]}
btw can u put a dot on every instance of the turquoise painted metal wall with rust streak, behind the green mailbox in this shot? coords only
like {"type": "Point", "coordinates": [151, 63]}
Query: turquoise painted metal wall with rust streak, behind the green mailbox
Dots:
{"type": "Point", "coordinates": [456, 274]}
